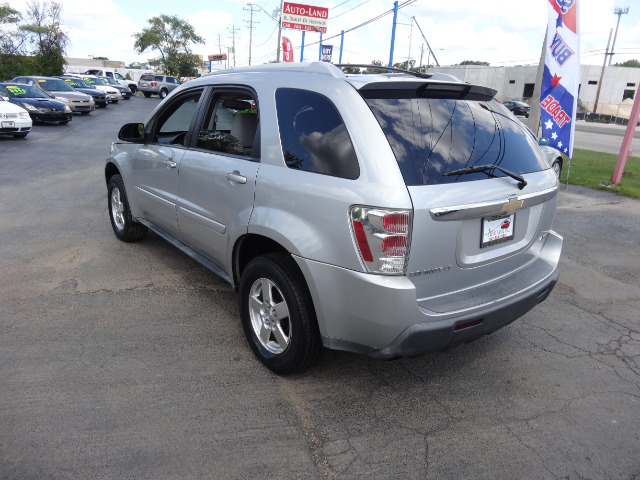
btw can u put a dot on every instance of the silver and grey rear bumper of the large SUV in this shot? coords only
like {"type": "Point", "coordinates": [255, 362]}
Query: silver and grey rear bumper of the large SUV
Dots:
{"type": "Point", "coordinates": [381, 316]}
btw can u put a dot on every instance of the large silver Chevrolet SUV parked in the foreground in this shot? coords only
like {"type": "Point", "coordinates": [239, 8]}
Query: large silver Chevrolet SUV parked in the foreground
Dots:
{"type": "Point", "coordinates": [391, 214]}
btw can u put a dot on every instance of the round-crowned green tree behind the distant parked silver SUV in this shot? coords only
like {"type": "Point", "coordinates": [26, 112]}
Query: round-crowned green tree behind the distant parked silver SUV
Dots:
{"type": "Point", "coordinates": [172, 38]}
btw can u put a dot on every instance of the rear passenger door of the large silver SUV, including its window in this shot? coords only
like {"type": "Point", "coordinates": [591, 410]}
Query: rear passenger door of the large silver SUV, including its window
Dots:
{"type": "Point", "coordinates": [218, 175]}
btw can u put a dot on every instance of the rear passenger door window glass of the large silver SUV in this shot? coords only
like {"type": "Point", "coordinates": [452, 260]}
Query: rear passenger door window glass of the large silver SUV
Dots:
{"type": "Point", "coordinates": [231, 124]}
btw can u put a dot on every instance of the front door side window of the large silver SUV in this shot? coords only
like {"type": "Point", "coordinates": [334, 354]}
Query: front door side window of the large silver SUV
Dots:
{"type": "Point", "coordinates": [174, 121]}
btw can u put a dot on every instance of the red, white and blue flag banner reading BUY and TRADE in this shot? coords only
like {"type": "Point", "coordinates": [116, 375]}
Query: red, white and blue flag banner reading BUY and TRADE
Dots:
{"type": "Point", "coordinates": [559, 92]}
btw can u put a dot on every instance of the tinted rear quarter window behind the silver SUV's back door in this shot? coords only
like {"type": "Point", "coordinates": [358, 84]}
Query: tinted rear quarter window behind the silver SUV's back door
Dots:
{"type": "Point", "coordinates": [313, 136]}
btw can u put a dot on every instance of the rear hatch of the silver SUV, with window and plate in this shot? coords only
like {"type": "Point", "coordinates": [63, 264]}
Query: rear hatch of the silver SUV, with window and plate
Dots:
{"type": "Point", "coordinates": [476, 236]}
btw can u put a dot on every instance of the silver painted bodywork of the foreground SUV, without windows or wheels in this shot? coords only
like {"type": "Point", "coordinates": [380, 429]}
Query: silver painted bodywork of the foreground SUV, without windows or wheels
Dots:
{"type": "Point", "coordinates": [450, 278]}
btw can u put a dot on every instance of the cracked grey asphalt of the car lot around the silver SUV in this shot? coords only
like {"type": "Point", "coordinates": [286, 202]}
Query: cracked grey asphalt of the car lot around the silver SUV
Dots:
{"type": "Point", "coordinates": [128, 361]}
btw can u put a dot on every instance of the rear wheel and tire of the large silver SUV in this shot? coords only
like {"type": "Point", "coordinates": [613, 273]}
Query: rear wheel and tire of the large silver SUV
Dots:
{"type": "Point", "coordinates": [277, 314]}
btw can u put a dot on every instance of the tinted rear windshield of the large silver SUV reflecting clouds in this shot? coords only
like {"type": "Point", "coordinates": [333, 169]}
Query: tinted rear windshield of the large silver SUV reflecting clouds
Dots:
{"type": "Point", "coordinates": [431, 137]}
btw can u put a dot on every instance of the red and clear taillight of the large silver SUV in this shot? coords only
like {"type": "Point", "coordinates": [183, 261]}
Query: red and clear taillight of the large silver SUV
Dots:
{"type": "Point", "coordinates": [382, 238]}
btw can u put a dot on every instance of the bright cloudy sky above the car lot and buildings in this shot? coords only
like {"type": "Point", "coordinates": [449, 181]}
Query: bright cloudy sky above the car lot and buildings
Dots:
{"type": "Point", "coordinates": [500, 32]}
